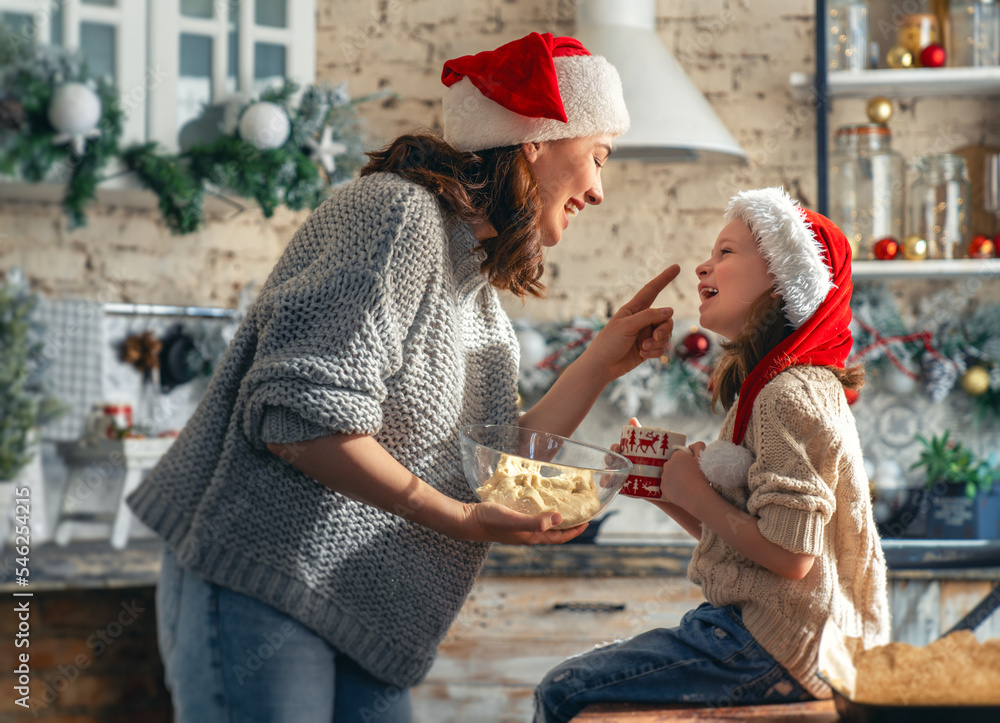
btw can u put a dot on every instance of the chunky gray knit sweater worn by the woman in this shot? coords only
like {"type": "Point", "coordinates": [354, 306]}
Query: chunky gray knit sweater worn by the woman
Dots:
{"type": "Point", "coordinates": [376, 320]}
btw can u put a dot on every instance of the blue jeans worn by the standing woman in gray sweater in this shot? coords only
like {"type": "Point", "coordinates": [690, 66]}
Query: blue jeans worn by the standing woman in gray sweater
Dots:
{"type": "Point", "coordinates": [232, 659]}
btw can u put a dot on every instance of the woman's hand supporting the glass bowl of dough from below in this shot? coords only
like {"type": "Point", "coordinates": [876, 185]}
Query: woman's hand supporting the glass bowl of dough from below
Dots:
{"type": "Point", "coordinates": [492, 522]}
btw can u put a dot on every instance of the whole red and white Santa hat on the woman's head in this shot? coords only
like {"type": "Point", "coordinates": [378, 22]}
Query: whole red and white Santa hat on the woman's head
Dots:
{"type": "Point", "coordinates": [538, 88]}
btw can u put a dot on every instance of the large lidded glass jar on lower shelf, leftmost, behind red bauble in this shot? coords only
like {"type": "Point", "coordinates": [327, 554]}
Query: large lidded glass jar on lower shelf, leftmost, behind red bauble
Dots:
{"type": "Point", "coordinates": [867, 187]}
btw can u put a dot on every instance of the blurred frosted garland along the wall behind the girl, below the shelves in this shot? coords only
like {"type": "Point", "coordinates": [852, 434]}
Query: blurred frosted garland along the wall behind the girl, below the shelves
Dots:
{"type": "Point", "coordinates": [942, 350]}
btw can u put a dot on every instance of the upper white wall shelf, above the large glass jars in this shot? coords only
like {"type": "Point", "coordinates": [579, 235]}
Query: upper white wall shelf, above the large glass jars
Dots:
{"type": "Point", "coordinates": [901, 83]}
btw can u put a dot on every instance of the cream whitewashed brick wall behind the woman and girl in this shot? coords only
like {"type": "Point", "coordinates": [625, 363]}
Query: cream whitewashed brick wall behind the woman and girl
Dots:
{"type": "Point", "coordinates": [739, 53]}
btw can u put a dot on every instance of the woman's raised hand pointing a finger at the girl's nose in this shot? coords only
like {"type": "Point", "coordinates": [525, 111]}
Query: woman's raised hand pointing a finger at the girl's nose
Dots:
{"type": "Point", "coordinates": [636, 333]}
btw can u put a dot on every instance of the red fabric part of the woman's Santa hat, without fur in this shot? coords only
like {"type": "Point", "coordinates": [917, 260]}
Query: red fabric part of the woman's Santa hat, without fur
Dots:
{"type": "Point", "coordinates": [520, 76]}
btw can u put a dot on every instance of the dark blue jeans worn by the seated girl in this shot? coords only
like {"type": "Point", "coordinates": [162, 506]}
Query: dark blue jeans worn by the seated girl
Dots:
{"type": "Point", "coordinates": [709, 659]}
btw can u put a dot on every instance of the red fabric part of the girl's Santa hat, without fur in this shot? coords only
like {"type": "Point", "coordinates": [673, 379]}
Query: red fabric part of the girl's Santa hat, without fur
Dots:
{"type": "Point", "coordinates": [824, 339]}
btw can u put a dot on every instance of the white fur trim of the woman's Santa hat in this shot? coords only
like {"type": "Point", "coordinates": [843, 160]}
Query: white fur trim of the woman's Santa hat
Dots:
{"type": "Point", "coordinates": [592, 98]}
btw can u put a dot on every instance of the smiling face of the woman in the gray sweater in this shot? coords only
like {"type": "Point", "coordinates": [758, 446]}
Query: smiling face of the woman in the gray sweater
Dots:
{"type": "Point", "coordinates": [568, 172]}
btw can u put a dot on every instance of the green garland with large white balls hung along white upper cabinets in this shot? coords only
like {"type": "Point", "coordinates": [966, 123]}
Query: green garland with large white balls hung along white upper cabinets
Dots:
{"type": "Point", "coordinates": [59, 124]}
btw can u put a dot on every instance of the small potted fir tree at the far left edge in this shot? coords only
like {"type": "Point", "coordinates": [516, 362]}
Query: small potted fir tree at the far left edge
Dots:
{"type": "Point", "coordinates": [23, 404]}
